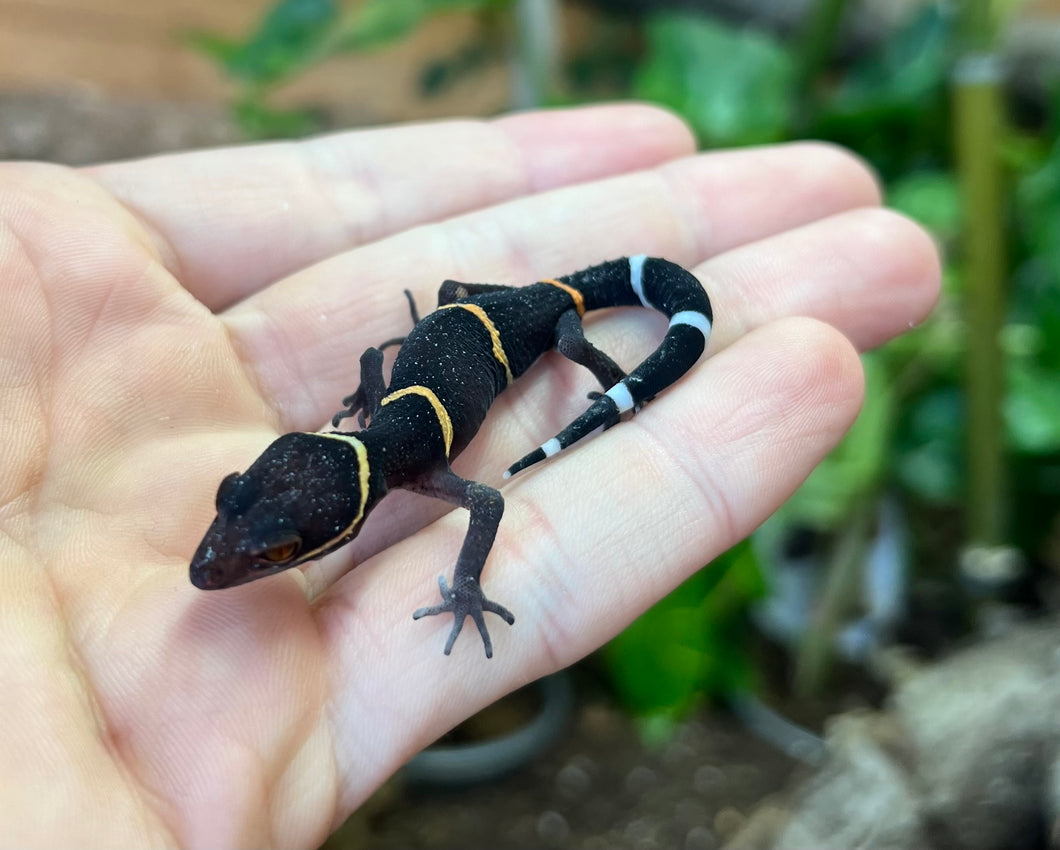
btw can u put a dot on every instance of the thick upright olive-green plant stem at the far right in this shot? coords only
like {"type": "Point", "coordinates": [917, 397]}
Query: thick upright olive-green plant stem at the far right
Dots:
{"type": "Point", "coordinates": [978, 112]}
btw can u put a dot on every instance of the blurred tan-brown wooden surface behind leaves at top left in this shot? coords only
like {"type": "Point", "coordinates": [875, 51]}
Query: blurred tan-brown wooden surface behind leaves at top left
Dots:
{"type": "Point", "coordinates": [133, 48]}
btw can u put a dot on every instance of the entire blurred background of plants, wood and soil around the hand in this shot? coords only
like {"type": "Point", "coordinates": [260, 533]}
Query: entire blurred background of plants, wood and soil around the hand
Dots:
{"type": "Point", "coordinates": [879, 666]}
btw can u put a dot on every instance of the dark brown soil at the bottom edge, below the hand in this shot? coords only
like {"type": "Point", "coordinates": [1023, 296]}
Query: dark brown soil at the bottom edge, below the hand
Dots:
{"type": "Point", "coordinates": [598, 788]}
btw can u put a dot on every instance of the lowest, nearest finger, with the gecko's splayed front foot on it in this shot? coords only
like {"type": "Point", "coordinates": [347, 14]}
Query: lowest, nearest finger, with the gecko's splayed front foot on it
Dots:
{"type": "Point", "coordinates": [587, 545]}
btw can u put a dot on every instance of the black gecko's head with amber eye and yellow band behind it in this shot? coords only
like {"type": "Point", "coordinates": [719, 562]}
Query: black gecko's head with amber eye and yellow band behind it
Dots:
{"type": "Point", "coordinates": [305, 497]}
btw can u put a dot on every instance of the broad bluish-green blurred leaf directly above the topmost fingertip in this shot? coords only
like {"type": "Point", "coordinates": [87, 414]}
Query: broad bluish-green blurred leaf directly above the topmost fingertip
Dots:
{"type": "Point", "coordinates": [735, 86]}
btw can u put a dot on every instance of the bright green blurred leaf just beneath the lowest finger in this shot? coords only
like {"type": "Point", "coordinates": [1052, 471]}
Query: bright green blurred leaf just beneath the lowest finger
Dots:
{"type": "Point", "coordinates": [690, 645]}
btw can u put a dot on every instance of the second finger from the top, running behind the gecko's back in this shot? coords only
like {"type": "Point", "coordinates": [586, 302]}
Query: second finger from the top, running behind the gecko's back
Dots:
{"type": "Point", "coordinates": [302, 337]}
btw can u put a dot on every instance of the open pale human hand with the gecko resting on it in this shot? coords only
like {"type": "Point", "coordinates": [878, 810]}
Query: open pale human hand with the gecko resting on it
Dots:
{"type": "Point", "coordinates": [168, 318]}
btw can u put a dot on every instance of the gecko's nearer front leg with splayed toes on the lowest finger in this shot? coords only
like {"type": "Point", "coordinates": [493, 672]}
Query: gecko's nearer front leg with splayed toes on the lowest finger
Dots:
{"type": "Point", "coordinates": [466, 597]}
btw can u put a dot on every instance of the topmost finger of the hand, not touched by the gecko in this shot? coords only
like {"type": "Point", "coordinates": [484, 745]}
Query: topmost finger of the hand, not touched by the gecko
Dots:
{"type": "Point", "coordinates": [235, 220]}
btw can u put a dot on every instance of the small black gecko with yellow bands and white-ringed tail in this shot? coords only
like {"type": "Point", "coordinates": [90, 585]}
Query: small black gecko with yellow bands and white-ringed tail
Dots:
{"type": "Point", "coordinates": [310, 493]}
